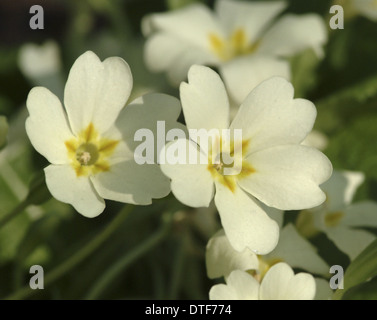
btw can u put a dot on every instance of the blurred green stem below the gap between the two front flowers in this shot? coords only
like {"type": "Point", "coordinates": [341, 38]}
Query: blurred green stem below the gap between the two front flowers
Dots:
{"type": "Point", "coordinates": [128, 259]}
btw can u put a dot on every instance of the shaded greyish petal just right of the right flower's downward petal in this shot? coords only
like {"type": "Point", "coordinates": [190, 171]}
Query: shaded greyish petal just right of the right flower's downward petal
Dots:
{"type": "Point", "coordinates": [298, 252]}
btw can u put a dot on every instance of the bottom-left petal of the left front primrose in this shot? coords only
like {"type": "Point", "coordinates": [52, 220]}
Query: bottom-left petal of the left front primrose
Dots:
{"type": "Point", "coordinates": [66, 187]}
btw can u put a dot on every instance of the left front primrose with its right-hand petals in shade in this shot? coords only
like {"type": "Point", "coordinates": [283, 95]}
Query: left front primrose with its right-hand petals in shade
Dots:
{"type": "Point", "coordinates": [89, 143]}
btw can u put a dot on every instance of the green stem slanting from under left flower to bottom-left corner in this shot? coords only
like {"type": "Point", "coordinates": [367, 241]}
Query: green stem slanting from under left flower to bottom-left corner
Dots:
{"type": "Point", "coordinates": [77, 257]}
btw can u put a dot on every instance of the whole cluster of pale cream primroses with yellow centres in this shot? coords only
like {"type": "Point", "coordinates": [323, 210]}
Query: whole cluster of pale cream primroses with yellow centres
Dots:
{"type": "Point", "coordinates": [91, 146]}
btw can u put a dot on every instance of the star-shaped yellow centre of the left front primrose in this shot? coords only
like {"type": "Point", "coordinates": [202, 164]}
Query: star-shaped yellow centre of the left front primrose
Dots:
{"type": "Point", "coordinates": [89, 152]}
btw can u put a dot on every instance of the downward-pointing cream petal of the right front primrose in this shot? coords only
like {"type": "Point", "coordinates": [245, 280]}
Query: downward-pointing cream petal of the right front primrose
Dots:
{"type": "Point", "coordinates": [245, 224]}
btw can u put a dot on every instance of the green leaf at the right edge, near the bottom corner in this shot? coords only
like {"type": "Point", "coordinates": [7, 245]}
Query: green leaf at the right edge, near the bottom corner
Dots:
{"type": "Point", "coordinates": [360, 270]}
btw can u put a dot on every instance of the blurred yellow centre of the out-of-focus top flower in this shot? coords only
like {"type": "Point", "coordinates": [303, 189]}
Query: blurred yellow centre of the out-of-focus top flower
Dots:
{"type": "Point", "coordinates": [236, 45]}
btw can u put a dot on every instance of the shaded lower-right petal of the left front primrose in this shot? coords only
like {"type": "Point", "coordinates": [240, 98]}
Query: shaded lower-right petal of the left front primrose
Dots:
{"type": "Point", "coordinates": [130, 182]}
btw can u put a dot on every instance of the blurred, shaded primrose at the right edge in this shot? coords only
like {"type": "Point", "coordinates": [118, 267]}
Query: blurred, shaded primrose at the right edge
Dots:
{"type": "Point", "coordinates": [339, 219]}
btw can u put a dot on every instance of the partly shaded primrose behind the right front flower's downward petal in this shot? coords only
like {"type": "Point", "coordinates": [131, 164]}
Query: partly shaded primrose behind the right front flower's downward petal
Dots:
{"type": "Point", "coordinates": [222, 259]}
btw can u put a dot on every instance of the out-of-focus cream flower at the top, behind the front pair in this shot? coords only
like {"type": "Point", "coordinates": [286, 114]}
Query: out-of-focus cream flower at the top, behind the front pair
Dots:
{"type": "Point", "coordinates": [238, 37]}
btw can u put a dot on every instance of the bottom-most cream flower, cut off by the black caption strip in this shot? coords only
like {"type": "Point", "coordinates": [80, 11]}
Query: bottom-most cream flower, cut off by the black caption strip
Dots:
{"type": "Point", "coordinates": [280, 283]}
